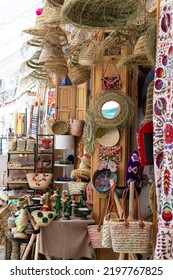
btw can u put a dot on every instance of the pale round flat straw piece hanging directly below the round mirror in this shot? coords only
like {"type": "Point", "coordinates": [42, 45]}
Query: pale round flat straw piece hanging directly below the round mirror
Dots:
{"type": "Point", "coordinates": [110, 139]}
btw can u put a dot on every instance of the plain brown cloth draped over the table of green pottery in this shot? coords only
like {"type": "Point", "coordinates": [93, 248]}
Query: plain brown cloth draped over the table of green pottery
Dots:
{"type": "Point", "coordinates": [67, 239]}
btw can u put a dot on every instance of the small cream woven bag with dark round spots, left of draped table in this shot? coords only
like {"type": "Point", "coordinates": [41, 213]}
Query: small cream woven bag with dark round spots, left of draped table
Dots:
{"type": "Point", "coordinates": [43, 218]}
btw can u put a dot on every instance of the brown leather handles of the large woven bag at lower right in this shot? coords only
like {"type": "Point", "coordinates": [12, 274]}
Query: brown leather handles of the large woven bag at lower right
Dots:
{"type": "Point", "coordinates": [138, 212]}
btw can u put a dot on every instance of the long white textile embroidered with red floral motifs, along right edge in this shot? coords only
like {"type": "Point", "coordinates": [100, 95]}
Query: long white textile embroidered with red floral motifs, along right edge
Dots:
{"type": "Point", "coordinates": [163, 132]}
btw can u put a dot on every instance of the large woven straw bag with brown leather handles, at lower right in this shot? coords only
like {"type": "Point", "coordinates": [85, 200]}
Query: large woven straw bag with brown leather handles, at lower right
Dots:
{"type": "Point", "coordinates": [130, 236]}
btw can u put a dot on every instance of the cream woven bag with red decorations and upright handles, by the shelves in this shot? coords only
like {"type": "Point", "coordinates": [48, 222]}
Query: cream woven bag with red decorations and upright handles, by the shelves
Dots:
{"type": "Point", "coordinates": [39, 181]}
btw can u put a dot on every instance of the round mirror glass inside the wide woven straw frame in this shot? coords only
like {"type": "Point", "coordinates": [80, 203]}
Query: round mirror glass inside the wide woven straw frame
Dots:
{"type": "Point", "coordinates": [110, 109]}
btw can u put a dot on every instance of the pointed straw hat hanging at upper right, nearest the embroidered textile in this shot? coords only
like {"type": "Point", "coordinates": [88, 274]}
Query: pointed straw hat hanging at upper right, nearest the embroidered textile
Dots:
{"type": "Point", "coordinates": [139, 55]}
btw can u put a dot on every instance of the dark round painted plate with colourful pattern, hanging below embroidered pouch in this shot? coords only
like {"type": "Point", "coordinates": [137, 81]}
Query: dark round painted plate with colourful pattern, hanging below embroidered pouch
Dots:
{"type": "Point", "coordinates": [101, 180]}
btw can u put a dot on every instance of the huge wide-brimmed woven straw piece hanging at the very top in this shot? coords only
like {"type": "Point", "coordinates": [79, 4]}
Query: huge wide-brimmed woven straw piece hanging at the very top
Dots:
{"type": "Point", "coordinates": [96, 13]}
